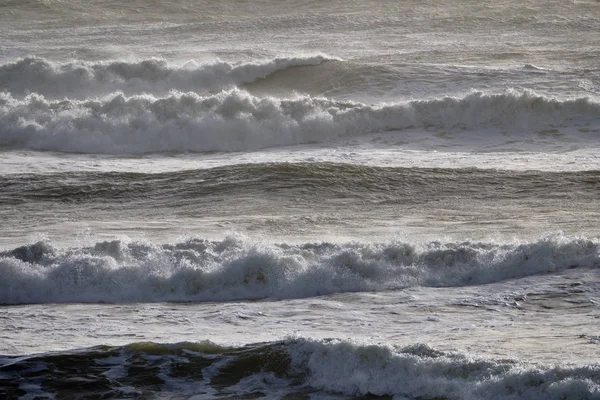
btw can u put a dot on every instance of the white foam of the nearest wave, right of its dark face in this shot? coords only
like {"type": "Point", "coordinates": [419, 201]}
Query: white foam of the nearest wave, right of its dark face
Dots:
{"type": "Point", "coordinates": [422, 372]}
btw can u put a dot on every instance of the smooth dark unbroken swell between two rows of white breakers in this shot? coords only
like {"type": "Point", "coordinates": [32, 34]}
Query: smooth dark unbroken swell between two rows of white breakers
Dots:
{"type": "Point", "coordinates": [309, 181]}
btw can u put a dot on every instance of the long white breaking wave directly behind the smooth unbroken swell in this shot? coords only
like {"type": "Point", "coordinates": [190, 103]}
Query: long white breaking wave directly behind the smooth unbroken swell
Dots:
{"type": "Point", "coordinates": [235, 120]}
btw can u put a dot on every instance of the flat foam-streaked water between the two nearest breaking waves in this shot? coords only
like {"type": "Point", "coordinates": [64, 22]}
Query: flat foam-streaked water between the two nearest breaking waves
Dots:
{"type": "Point", "coordinates": [549, 319]}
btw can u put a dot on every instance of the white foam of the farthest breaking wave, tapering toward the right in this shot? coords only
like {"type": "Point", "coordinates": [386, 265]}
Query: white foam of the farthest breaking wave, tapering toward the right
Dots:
{"type": "Point", "coordinates": [81, 79]}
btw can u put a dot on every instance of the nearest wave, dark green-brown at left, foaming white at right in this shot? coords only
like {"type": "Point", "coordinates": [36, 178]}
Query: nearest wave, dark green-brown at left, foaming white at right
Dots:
{"type": "Point", "coordinates": [298, 368]}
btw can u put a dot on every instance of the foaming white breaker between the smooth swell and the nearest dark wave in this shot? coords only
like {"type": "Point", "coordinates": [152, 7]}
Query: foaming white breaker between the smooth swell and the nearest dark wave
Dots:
{"type": "Point", "coordinates": [201, 270]}
